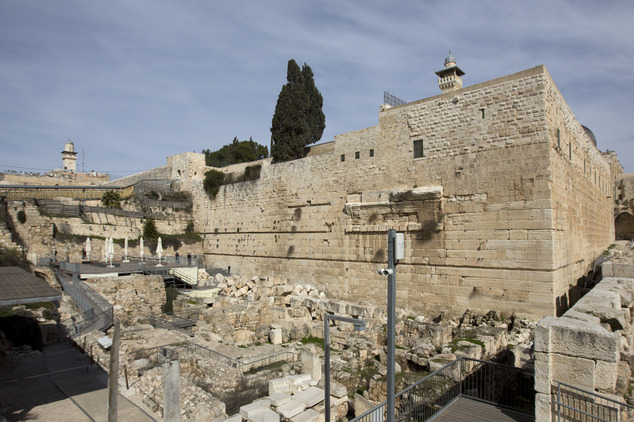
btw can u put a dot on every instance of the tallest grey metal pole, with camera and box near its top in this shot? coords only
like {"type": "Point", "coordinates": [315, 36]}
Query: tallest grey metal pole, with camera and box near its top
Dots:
{"type": "Point", "coordinates": [391, 325]}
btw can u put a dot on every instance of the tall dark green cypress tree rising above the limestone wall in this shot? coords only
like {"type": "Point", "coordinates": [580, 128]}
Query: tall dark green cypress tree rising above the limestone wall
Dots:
{"type": "Point", "coordinates": [298, 120]}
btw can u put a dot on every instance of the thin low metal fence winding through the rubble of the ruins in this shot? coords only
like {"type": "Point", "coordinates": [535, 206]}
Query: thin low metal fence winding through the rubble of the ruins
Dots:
{"type": "Point", "coordinates": [177, 351]}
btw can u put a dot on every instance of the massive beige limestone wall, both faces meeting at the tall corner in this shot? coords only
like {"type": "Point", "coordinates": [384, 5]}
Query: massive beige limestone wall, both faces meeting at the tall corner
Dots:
{"type": "Point", "coordinates": [493, 219]}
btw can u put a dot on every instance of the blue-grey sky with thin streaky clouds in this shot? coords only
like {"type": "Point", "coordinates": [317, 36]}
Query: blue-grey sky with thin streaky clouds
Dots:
{"type": "Point", "coordinates": [132, 82]}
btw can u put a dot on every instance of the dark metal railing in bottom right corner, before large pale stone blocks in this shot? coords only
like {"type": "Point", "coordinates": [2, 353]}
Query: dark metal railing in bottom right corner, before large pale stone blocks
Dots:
{"type": "Point", "coordinates": [575, 404]}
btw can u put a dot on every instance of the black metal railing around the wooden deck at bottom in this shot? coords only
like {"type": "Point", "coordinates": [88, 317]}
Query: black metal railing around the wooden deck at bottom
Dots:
{"type": "Point", "coordinates": [489, 382]}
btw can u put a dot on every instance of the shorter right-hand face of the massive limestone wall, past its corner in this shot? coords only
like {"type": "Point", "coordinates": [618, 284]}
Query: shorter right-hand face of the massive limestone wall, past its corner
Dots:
{"type": "Point", "coordinates": [582, 192]}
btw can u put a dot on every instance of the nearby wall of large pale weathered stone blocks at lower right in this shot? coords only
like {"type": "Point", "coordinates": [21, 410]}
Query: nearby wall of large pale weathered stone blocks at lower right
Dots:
{"type": "Point", "coordinates": [589, 347]}
